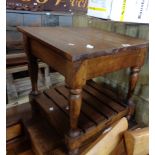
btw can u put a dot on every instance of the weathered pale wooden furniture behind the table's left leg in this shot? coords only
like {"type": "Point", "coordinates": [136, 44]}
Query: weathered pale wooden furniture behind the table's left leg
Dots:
{"type": "Point", "coordinates": [17, 79]}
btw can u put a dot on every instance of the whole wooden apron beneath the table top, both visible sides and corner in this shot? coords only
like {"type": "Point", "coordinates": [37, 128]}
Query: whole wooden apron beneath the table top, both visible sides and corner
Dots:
{"type": "Point", "coordinates": [92, 67]}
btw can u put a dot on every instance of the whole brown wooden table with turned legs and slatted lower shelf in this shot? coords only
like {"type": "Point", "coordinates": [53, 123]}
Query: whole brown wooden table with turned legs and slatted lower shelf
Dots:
{"type": "Point", "coordinates": [81, 54]}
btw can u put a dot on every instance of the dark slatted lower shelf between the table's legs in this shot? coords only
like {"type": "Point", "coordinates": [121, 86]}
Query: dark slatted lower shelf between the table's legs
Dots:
{"type": "Point", "coordinates": [100, 108]}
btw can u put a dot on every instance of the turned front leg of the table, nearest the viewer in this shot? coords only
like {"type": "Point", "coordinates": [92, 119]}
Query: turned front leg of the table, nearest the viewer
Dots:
{"type": "Point", "coordinates": [75, 107]}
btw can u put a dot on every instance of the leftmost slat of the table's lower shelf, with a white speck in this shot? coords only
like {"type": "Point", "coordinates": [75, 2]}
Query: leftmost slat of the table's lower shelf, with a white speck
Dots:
{"type": "Point", "coordinates": [56, 116]}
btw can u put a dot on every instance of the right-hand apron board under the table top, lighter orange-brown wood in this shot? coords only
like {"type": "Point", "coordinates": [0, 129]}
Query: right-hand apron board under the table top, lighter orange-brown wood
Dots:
{"type": "Point", "coordinates": [106, 64]}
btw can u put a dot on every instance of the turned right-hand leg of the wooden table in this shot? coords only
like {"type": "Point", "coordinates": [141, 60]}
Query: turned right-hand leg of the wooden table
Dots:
{"type": "Point", "coordinates": [132, 84]}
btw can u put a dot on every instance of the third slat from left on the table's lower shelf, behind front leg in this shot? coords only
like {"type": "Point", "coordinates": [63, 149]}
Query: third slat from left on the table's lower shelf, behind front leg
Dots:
{"type": "Point", "coordinates": [87, 110]}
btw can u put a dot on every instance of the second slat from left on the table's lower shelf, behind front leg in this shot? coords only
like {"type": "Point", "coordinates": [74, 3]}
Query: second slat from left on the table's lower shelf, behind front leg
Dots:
{"type": "Point", "coordinates": [84, 122]}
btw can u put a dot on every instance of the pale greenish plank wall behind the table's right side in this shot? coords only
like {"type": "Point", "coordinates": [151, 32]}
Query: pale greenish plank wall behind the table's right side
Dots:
{"type": "Point", "coordinates": [119, 79]}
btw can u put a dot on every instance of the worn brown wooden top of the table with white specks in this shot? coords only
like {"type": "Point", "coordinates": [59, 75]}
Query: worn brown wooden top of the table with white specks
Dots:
{"type": "Point", "coordinates": [82, 43]}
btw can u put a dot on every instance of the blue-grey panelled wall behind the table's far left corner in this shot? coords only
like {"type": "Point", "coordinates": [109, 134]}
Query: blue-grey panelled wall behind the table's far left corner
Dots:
{"type": "Point", "coordinates": [16, 18]}
